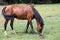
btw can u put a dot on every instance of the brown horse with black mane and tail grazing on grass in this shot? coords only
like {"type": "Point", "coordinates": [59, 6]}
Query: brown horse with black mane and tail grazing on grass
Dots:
{"type": "Point", "coordinates": [27, 12]}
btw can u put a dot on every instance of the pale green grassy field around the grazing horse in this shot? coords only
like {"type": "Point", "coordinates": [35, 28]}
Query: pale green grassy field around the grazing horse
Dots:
{"type": "Point", "coordinates": [51, 16]}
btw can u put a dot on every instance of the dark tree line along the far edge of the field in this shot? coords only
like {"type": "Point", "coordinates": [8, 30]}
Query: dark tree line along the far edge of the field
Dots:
{"type": "Point", "coordinates": [29, 1]}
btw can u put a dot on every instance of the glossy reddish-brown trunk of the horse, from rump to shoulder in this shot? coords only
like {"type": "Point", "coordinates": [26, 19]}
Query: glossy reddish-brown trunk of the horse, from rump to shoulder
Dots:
{"type": "Point", "coordinates": [20, 12]}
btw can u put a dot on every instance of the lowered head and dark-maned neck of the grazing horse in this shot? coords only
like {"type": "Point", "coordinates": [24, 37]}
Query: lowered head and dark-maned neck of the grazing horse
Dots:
{"type": "Point", "coordinates": [39, 20]}
